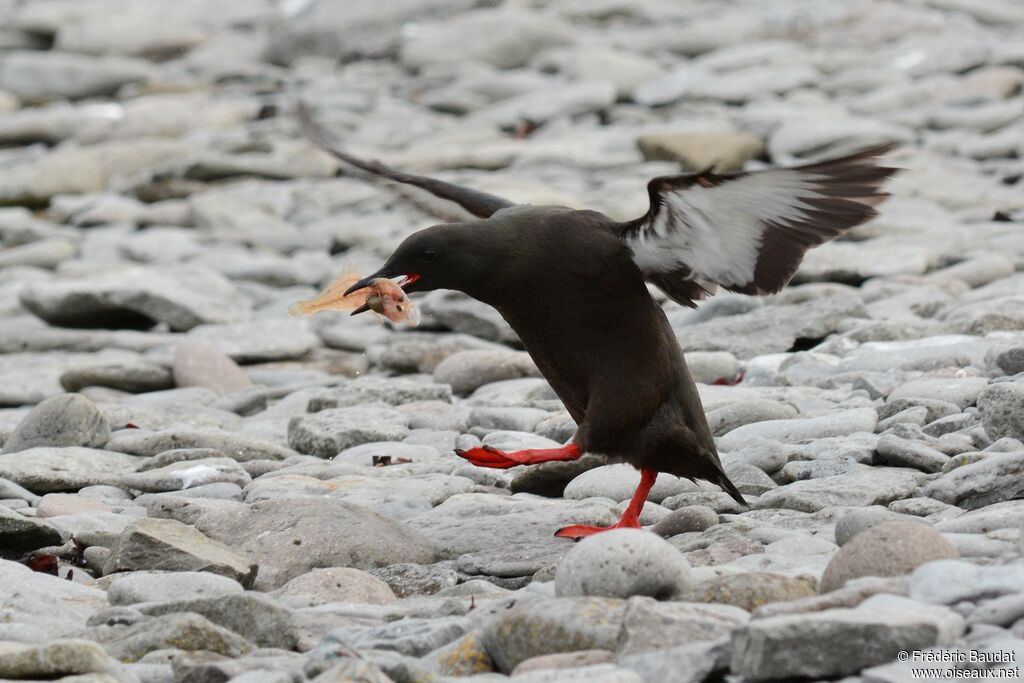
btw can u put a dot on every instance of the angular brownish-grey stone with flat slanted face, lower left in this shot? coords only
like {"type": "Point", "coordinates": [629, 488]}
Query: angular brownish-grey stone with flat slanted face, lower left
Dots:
{"type": "Point", "coordinates": [166, 544]}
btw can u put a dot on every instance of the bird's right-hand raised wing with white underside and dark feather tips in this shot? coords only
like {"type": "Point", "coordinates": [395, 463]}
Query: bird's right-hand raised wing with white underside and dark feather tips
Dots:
{"type": "Point", "coordinates": [749, 232]}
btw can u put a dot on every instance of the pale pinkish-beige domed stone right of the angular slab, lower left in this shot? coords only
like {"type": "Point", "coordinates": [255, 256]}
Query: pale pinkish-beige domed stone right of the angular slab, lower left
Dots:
{"type": "Point", "coordinates": [335, 585]}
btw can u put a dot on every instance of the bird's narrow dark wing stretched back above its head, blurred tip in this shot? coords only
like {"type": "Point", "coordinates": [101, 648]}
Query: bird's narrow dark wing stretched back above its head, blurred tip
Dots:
{"type": "Point", "coordinates": [482, 205]}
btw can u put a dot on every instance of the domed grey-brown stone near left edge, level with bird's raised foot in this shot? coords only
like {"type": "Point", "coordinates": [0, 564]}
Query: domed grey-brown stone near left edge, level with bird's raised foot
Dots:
{"type": "Point", "coordinates": [68, 420]}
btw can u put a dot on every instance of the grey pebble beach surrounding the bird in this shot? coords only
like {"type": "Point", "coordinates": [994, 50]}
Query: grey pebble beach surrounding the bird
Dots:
{"type": "Point", "coordinates": [198, 488]}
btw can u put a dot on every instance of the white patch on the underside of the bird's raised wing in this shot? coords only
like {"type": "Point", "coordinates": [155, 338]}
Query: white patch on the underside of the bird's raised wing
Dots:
{"type": "Point", "coordinates": [718, 232]}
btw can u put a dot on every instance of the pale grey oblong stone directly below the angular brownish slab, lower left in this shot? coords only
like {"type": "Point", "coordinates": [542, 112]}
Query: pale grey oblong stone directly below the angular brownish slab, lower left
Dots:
{"type": "Point", "coordinates": [136, 587]}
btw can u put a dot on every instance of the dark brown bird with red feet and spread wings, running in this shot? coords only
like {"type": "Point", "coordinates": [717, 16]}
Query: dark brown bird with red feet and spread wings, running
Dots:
{"type": "Point", "coordinates": [573, 286]}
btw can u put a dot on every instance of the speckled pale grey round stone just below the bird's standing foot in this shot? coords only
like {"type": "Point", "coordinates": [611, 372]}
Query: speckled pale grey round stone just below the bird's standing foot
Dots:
{"type": "Point", "coordinates": [622, 564]}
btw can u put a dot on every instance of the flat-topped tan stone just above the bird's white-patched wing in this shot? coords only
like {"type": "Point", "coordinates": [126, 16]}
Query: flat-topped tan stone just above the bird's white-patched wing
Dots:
{"type": "Point", "coordinates": [723, 153]}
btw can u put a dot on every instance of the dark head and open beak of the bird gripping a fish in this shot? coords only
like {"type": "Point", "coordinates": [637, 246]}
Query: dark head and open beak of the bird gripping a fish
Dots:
{"type": "Point", "coordinates": [457, 257]}
